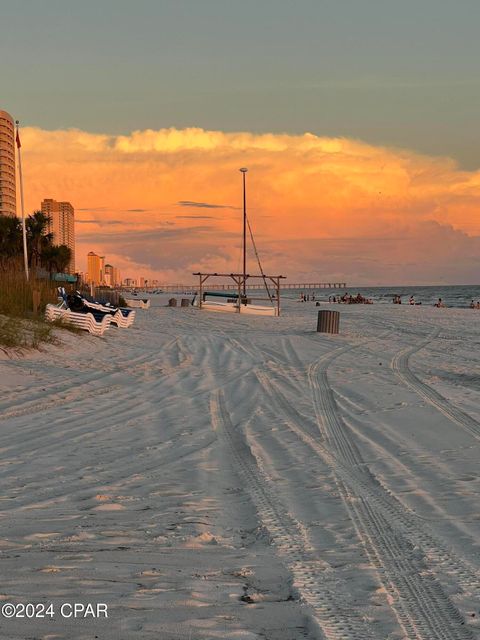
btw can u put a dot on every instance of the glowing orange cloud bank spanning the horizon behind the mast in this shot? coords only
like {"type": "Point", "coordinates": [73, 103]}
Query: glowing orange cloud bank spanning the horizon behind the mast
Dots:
{"type": "Point", "coordinates": [164, 203]}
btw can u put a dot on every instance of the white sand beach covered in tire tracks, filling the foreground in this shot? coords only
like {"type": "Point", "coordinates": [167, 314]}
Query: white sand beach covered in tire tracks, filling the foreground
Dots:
{"type": "Point", "coordinates": [211, 475]}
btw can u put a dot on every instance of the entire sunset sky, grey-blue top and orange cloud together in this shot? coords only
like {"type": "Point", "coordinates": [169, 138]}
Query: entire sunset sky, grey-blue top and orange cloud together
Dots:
{"type": "Point", "coordinates": [357, 120]}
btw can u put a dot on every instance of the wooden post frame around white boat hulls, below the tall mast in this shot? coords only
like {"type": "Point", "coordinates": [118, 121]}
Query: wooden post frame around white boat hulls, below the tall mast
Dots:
{"type": "Point", "coordinates": [240, 301]}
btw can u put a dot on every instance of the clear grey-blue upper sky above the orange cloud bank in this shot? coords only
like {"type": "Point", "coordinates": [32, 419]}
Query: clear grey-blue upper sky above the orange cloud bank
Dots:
{"type": "Point", "coordinates": [388, 72]}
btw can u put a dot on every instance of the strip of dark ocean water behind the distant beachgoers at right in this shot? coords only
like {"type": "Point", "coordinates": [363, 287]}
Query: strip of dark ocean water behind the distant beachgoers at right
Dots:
{"type": "Point", "coordinates": [458, 296]}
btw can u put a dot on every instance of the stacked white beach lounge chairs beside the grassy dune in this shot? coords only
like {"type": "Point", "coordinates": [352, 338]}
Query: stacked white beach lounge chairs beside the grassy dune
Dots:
{"type": "Point", "coordinates": [94, 317]}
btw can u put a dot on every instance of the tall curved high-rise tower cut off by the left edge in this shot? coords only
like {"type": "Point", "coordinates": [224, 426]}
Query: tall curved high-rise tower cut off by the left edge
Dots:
{"type": "Point", "coordinates": [7, 165]}
